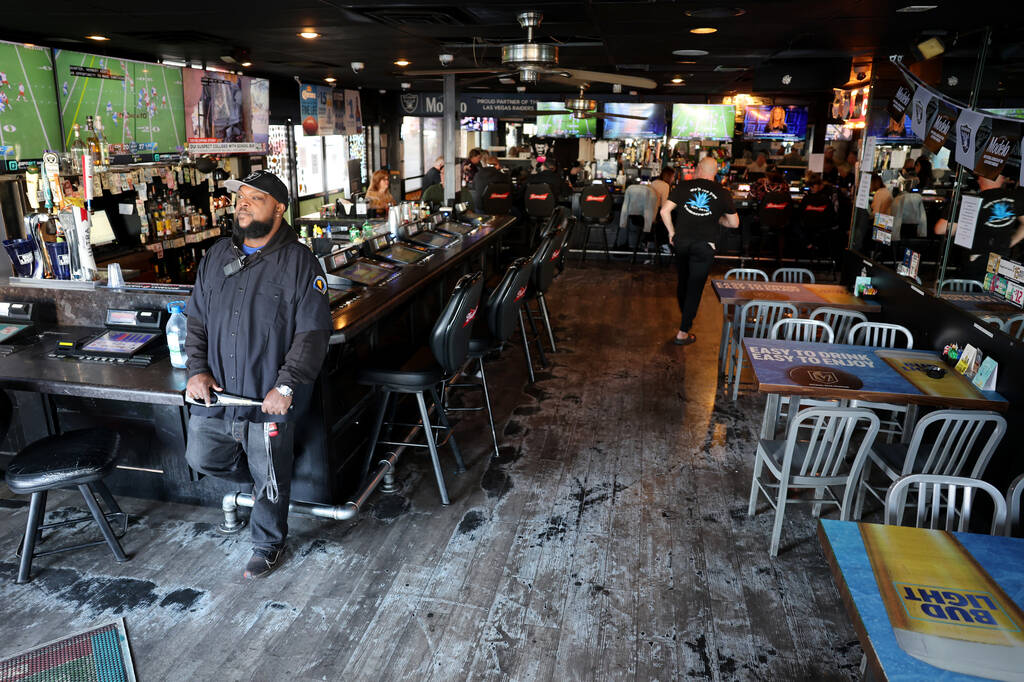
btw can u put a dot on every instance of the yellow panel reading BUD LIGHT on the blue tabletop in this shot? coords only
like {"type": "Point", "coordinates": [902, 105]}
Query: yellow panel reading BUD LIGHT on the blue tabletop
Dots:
{"type": "Point", "coordinates": [944, 608]}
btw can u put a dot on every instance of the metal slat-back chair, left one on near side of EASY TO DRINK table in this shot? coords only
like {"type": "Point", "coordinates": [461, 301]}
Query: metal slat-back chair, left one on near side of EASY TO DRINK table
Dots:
{"type": "Point", "coordinates": [815, 455]}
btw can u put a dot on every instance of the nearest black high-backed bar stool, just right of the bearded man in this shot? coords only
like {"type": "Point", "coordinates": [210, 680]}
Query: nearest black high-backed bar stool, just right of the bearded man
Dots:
{"type": "Point", "coordinates": [444, 356]}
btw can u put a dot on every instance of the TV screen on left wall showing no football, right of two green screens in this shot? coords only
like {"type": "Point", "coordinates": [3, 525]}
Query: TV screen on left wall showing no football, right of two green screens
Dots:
{"type": "Point", "coordinates": [226, 113]}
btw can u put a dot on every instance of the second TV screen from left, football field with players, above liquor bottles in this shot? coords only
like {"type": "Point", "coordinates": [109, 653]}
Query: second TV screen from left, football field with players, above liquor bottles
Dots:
{"type": "Point", "coordinates": [152, 96]}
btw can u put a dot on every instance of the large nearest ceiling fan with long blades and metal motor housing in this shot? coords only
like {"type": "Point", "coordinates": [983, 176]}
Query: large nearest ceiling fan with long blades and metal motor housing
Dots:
{"type": "Point", "coordinates": [535, 62]}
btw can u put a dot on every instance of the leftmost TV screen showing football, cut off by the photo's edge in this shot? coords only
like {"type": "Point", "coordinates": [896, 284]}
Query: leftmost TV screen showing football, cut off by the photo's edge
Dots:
{"type": "Point", "coordinates": [29, 123]}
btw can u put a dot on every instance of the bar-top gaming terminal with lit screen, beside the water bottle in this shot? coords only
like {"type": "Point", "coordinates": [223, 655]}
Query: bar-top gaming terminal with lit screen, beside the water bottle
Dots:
{"type": "Point", "coordinates": [130, 337]}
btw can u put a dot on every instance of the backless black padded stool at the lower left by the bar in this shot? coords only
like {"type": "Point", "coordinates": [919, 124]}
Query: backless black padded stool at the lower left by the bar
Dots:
{"type": "Point", "coordinates": [82, 459]}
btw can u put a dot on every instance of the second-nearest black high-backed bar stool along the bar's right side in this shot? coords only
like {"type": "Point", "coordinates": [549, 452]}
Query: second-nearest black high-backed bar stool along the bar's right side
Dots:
{"type": "Point", "coordinates": [502, 315]}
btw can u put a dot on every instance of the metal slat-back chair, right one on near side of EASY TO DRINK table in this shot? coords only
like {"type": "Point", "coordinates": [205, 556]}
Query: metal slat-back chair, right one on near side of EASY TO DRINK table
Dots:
{"type": "Point", "coordinates": [944, 443]}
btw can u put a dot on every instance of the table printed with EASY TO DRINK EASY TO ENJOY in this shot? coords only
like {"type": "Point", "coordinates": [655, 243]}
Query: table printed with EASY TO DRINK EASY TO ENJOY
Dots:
{"type": "Point", "coordinates": [833, 371]}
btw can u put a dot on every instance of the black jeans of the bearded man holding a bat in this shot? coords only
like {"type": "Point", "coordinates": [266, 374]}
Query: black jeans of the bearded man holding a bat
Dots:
{"type": "Point", "coordinates": [218, 447]}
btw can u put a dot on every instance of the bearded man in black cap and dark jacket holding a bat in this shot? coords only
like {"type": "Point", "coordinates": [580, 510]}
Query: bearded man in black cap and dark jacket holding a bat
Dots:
{"type": "Point", "coordinates": [259, 327]}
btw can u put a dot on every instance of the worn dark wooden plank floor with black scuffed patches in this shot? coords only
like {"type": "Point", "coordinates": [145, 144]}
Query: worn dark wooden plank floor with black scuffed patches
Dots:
{"type": "Point", "coordinates": [610, 542]}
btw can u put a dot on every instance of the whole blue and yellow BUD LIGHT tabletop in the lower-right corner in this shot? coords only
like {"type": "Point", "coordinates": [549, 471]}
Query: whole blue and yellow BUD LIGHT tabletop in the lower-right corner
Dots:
{"type": "Point", "coordinates": [880, 573]}
